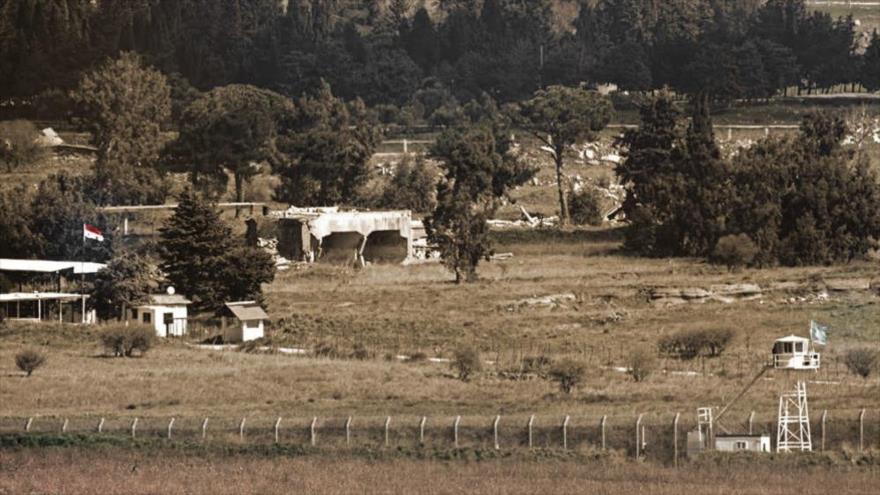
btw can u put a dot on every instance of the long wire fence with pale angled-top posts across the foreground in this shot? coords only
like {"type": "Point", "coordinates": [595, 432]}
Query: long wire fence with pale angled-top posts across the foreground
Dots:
{"type": "Point", "coordinates": [650, 436]}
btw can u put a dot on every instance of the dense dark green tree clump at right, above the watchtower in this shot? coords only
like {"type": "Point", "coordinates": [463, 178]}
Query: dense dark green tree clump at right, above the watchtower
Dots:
{"type": "Point", "coordinates": [798, 200]}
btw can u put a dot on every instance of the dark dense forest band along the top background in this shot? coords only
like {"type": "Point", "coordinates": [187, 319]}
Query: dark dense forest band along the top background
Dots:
{"type": "Point", "coordinates": [396, 53]}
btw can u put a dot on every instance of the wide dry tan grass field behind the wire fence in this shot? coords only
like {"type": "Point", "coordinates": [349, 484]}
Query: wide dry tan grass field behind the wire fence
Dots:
{"type": "Point", "coordinates": [391, 310]}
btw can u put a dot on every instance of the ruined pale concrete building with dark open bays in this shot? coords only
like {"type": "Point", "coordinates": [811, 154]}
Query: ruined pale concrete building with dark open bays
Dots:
{"type": "Point", "coordinates": [309, 234]}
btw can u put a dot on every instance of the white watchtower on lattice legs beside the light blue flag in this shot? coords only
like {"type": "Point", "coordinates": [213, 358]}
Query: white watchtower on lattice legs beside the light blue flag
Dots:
{"type": "Point", "coordinates": [793, 429]}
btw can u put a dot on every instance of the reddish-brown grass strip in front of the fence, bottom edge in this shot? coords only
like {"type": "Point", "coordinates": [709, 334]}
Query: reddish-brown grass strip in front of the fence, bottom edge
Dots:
{"type": "Point", "coordinates": [70, 471]}
